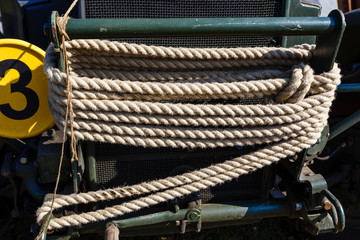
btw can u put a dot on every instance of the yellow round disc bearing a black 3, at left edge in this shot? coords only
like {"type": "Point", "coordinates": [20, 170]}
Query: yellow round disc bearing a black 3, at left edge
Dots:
{"type": "Point", "coordinates": [24, 109]}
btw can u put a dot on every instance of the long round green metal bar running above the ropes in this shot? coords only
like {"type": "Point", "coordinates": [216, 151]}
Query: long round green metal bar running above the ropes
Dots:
{"type": "Point", "coordinates": [186, 27]}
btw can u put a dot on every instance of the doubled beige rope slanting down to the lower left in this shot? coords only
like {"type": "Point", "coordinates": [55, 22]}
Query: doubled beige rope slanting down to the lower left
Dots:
{"type": "Point", "coordinates": [244, 167]}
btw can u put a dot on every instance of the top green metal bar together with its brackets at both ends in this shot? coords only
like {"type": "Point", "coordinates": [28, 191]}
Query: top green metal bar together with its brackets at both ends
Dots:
{"type": "Point", "coordinates": [328, 29]}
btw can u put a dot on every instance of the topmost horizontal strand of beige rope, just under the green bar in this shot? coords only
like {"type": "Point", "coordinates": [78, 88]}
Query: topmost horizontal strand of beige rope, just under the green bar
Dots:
{"type": "Point", "coordinates": [114, 48]}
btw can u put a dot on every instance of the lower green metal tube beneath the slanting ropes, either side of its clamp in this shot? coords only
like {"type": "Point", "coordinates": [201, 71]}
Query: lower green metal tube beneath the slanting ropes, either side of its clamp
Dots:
{"type": "Point", "coordinates": [216, 213]}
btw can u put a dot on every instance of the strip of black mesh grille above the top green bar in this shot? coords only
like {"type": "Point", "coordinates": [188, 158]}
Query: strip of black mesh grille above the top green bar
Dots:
{"type": "Point", "coordinates": [181, 8]}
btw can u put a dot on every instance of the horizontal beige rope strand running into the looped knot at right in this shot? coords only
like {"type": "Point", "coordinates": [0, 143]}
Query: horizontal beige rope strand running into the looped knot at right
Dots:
{"type": "Point", "coordinates": [259, 88]}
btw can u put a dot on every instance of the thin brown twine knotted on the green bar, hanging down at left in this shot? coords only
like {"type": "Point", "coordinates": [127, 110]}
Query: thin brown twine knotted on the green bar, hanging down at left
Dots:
{"type": "Point", "coordinates": [61, 22]}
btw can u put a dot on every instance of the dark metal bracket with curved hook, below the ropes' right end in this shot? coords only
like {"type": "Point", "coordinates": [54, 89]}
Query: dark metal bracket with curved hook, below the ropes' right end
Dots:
{"type": "Point", "coordinates": [312, 188]}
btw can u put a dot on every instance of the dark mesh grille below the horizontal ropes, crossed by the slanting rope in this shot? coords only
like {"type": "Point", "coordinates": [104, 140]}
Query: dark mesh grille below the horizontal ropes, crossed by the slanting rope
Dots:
{"type": "Point", "coordinates": [123, 165]}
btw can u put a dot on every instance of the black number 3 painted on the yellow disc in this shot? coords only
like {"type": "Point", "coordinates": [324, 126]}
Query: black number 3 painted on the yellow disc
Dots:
{"type": "Point", "coordinates": [32, 100]}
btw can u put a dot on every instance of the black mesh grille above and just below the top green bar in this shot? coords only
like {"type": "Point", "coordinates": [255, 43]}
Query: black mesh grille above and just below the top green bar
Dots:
{"type": "Point", "coordinates": [190, 9]}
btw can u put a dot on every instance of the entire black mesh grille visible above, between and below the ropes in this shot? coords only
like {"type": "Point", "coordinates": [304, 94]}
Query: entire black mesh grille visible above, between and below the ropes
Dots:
{"type": "Point", "coordinates": [119, 165]}
